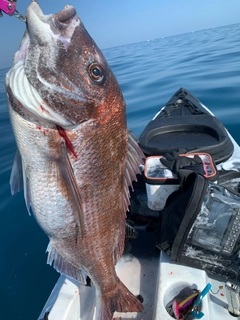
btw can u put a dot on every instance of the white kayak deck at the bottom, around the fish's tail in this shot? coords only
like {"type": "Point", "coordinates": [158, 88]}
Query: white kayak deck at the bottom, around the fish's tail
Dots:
{"type": "Point", "coordinates": [157, 280]}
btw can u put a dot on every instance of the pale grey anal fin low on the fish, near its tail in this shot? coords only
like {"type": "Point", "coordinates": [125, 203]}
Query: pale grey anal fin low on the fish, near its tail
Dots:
{"type": "Point", "coordinates": [64, 267]}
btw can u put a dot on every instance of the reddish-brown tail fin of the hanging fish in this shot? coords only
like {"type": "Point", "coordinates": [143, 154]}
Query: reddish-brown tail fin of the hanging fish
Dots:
{"type": "Point", "coordinates": [120, 299]}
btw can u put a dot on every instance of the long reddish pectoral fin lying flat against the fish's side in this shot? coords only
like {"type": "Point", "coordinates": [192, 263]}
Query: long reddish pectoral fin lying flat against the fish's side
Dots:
{"type": "Point", "coordinates": [67, 183]}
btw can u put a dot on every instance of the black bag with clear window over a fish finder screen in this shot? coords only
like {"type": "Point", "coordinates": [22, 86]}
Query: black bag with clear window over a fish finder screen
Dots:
{"type": "Point", "coordinates": [200, 227]}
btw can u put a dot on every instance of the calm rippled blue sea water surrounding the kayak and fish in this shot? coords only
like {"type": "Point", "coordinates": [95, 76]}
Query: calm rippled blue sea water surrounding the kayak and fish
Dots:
{"type": "Point", "coordinates": [207, 63]}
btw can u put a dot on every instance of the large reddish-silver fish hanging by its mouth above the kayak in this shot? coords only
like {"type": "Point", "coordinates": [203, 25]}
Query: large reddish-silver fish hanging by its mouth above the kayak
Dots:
{"type": "Point", "coordinates": [76, 158]}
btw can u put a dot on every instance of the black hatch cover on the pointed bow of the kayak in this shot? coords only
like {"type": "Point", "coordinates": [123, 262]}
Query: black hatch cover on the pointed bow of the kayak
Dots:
{"type": "Point", "coordinates": [184, 125]}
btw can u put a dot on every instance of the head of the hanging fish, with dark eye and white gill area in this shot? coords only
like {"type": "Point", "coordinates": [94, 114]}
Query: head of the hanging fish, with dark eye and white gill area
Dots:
{"type": "Point", "coordinates": [60, 75]}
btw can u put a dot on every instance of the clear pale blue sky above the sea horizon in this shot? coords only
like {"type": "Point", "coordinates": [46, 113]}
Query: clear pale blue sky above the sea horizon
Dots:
{"type": "Point", "coordinates": [113, 23]}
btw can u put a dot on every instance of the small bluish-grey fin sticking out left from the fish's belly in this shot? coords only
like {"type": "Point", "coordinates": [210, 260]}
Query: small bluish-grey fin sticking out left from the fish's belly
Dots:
{"type": "Point", "coordinates": [16, 177]}
